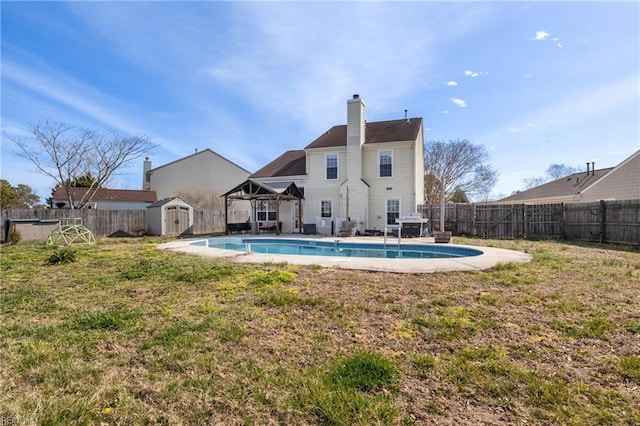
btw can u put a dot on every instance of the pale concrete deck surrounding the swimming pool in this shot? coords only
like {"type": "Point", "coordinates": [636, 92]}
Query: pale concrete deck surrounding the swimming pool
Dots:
{"type": "Point", "coordinates": [490, 257]}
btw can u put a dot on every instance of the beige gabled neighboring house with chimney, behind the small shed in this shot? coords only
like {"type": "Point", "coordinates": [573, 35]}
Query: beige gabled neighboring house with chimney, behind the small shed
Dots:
{"type": "Point", "coordinates": [204, 173]}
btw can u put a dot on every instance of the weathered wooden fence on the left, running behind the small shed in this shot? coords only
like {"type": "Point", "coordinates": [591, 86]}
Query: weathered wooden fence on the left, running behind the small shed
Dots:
{"type": "Point", "coordinates": [113, 223]}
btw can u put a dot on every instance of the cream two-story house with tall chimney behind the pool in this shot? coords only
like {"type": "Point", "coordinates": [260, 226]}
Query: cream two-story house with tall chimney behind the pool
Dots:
{"type": "Point", "coordinates": [369, 173]}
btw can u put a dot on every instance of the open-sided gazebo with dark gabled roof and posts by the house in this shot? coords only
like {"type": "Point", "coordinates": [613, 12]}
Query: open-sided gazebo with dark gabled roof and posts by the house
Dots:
{"type": "Point", "coordinates": [256, 191]}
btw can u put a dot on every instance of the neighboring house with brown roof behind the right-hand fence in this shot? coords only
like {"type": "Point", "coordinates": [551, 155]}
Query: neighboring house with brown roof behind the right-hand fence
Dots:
{"type": "Point", "coordinates": [621, 182]}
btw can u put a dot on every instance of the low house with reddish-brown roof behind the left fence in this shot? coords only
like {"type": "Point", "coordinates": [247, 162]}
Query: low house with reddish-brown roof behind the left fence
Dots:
{"type": "Point", "coordinates": [107, 199]}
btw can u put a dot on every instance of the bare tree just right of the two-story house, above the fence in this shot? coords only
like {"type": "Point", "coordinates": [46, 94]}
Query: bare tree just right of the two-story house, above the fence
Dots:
{"type": "Point", "coordinates": [463, 166]}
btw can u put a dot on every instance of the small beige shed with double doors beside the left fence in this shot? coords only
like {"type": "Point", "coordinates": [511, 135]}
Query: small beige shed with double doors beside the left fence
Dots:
{"type": "Point", "coordinates": [170, 216]}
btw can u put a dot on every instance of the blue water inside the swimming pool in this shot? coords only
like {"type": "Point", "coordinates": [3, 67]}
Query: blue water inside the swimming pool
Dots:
{"type": "Point", "coordinates": [343, 249]}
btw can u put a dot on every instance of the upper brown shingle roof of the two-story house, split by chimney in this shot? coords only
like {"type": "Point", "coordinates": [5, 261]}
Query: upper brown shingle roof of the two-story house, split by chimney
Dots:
{"type": "Point", "coordinates": [376, 132]}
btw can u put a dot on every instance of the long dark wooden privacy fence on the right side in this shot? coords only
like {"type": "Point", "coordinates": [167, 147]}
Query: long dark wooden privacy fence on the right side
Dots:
{"type": "Point", "coordinates": [603, 221]}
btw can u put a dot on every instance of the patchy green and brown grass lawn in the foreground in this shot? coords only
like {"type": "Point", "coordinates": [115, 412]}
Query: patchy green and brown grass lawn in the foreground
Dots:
{"type": "Point", "coordinates": [121, 333]}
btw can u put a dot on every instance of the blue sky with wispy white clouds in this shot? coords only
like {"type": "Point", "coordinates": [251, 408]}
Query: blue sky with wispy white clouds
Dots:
{"type": "Point", "coordinates": [536, 83]}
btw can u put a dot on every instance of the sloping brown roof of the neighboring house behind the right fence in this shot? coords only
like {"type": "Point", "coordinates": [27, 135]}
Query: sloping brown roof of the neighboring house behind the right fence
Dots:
{"type": "Point", "coordinates": [568, 186]}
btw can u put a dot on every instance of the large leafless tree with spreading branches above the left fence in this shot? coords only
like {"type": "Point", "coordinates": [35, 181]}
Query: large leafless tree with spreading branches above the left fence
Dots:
{"type": "Point", "coordinates": [66, 152]}
